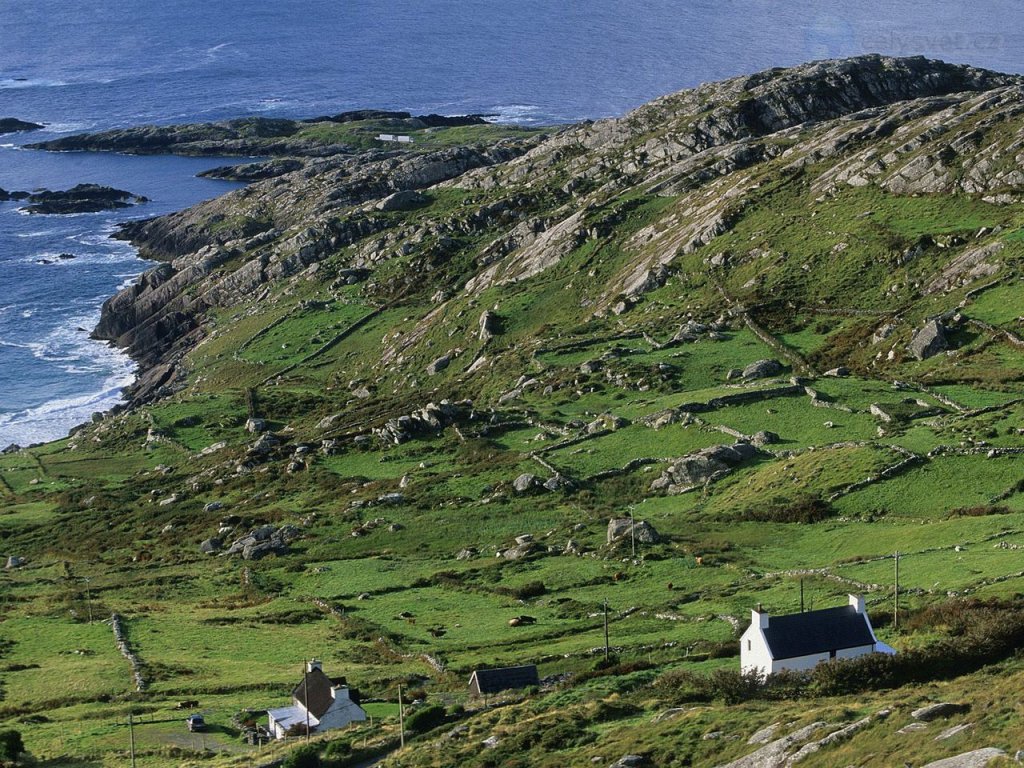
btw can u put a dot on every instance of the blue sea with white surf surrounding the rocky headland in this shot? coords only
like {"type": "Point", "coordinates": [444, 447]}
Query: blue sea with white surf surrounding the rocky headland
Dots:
{"type": "Point", "coordinates": [93, 65]}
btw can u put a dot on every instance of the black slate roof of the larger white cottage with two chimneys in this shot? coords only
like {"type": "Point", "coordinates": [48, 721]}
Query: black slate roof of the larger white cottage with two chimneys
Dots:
{"type": "Point", "coordinates": [818, 632]}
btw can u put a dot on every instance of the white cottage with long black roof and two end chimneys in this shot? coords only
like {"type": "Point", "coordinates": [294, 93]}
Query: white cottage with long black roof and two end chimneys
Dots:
{"type": "Point", "coordinates": [801, 642]}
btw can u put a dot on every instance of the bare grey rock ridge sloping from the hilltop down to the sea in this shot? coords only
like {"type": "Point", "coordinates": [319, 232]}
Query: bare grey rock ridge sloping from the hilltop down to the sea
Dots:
{"type": "Point", "coordinates": [535, 200]}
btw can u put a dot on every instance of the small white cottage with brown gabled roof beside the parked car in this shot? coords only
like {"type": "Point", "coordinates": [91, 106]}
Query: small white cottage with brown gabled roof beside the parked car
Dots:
{"type": "Point", "coordinates": [318, 702]}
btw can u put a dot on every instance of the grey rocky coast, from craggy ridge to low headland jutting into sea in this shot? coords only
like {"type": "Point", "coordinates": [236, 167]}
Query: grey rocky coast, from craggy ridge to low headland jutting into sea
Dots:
{"type": "Point", "coordinates": [304, 209]}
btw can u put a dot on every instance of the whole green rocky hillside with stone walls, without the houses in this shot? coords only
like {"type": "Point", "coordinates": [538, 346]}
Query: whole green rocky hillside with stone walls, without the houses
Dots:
{"type": "Point", "coordinates": [777, 319]}
